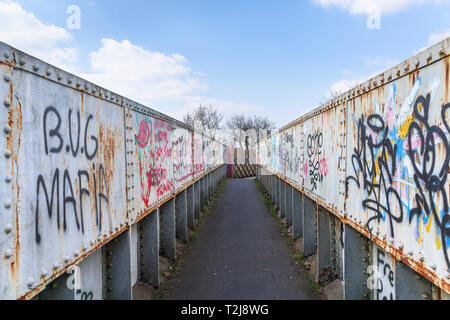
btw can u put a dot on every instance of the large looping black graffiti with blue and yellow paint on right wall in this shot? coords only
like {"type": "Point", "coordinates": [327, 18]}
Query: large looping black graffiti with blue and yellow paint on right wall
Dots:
{"type": "Point", "coordinates": [401, 162]}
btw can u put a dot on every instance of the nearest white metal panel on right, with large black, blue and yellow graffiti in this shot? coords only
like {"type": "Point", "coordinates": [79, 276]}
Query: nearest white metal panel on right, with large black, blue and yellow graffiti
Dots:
{"type": "Point", "coordinates": [397, 162]}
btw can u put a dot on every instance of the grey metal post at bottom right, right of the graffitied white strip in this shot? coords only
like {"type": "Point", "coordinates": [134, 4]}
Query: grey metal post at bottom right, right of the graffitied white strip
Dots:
{"type": "Point", "coordinates": [409, 285]}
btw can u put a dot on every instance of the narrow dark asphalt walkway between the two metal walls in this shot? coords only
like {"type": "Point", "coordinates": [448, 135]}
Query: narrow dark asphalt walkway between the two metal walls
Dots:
{"type": "Point", "coordinates": [240, 254]}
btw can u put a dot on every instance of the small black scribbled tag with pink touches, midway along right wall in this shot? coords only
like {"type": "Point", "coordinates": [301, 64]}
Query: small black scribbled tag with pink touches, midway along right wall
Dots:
{"type": "Point", "coordinates": [316, 165]}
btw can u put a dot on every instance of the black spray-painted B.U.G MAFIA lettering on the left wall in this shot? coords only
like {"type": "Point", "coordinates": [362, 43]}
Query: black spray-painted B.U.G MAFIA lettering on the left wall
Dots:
{"type": "Point", "coordinates": [66, 198]}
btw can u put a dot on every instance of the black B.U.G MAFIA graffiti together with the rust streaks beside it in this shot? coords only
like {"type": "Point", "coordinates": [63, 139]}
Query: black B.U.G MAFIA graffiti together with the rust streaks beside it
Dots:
{"type": "Point", "coordinates": [59, 191]}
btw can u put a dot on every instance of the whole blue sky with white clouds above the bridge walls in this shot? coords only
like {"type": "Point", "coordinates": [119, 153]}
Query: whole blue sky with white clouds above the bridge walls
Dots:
{"type": "Point", "coordinates": [275, 58]}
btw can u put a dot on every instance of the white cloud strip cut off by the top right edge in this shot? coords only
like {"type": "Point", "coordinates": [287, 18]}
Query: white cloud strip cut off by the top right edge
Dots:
{"type": "Point", "coordinates": [365, 6]}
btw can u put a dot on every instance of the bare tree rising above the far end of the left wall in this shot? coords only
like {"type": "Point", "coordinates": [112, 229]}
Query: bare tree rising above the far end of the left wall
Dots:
{"type": "Point", "coordinates": [206, 118]}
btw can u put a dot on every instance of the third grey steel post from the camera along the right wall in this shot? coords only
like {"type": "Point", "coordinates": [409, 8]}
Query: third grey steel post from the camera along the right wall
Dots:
{"type": "Point", "coordinates": [324, 268]}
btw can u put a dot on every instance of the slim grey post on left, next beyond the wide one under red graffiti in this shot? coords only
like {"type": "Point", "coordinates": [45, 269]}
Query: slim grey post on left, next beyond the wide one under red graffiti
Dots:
{"type": "Point", "coordinates": [167, 230]}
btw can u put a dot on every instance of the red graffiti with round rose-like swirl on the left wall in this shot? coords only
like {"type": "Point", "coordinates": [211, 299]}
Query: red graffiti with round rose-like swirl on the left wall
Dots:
{"type": "Point", "coordinates": [154, 146]}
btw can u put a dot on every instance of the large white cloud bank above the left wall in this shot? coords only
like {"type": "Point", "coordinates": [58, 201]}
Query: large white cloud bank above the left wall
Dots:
{"type": "Point", "coordinates": [161, 81]}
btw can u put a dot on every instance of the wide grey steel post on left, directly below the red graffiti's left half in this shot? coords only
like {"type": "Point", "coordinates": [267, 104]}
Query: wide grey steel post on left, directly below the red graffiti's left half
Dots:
{"type": "Point", "coordinates": [149, 241]}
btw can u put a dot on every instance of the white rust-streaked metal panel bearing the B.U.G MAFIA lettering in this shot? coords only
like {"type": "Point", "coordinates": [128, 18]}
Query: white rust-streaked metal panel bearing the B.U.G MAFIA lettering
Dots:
{"type": "Point", "coordinates": [68, 169]}
